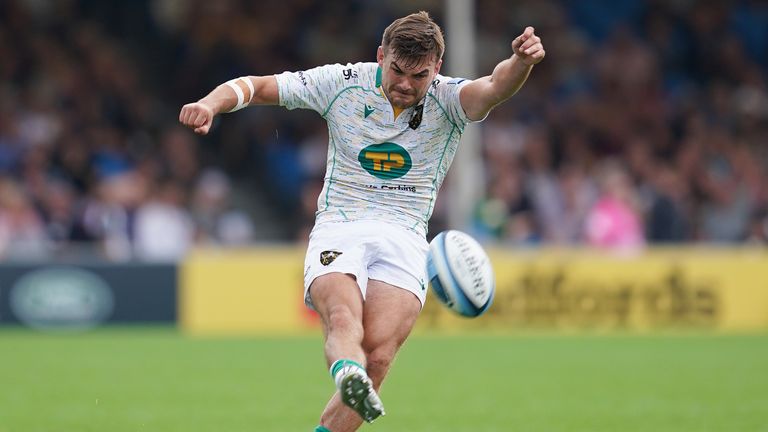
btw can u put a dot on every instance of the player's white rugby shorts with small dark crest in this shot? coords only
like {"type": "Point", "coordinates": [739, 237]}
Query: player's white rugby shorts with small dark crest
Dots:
{"type": "Point", "coordinates": [368, 250]}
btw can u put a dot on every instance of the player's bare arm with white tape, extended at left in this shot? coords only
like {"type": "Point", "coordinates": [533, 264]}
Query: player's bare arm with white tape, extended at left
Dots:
{"type": "Point", "coordinates": [253, 90]}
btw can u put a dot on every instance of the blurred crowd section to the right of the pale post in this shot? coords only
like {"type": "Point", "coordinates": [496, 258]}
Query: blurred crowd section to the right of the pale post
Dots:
{"type": "Point", "coordinates": [647, 123]}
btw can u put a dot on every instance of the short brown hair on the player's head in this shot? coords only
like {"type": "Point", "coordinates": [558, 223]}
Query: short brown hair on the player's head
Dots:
{"type": "Point", "coordinates": [414, 37]}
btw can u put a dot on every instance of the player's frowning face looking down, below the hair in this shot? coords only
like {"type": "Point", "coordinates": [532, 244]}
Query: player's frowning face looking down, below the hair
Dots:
{"type": "Point", "coordinates": [406, 86]}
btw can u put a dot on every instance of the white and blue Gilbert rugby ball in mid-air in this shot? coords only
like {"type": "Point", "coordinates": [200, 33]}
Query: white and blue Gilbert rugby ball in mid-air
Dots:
{"type": "Point", "coordinates": [460, 273]}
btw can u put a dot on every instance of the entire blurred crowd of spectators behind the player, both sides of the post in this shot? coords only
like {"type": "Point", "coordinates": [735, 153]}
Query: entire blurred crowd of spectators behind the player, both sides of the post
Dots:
{"type": "Point", "coordinates": [646, 123]}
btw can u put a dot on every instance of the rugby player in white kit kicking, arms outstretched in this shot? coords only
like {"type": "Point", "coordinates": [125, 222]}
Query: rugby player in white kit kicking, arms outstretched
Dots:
{"type": "Point", "coordinates": [394, 126]}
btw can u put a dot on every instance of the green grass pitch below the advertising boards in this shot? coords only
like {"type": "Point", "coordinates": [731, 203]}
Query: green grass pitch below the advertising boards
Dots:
{"type": "Point", "coordinates": [149, 379]}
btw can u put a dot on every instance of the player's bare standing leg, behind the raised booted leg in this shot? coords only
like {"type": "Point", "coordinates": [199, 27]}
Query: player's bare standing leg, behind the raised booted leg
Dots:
{"type": "Point", "coordinates": [388, 317]}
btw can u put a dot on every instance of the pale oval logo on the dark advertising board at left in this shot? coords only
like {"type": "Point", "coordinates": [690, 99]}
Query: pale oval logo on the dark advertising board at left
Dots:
{"type": "Point", "coordinates": [63, 298]}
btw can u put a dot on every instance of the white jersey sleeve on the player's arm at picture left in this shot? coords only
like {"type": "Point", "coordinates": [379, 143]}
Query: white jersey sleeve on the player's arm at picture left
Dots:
{"type": "Point", "coordinates": [315, 88]}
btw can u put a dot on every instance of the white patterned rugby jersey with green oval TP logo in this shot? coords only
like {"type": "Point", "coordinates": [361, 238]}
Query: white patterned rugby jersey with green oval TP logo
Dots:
{"type": "Point", "coordinates": [378, 167]}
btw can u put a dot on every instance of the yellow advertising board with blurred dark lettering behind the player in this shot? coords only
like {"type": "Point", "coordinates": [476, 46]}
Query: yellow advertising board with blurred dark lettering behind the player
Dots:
{"type": "Point", "coordinates": [718, 289]}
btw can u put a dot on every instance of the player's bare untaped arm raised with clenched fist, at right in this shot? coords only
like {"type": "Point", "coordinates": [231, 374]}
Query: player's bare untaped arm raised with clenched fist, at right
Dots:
{"type": "Point", "coordinates": [480, 96]}
